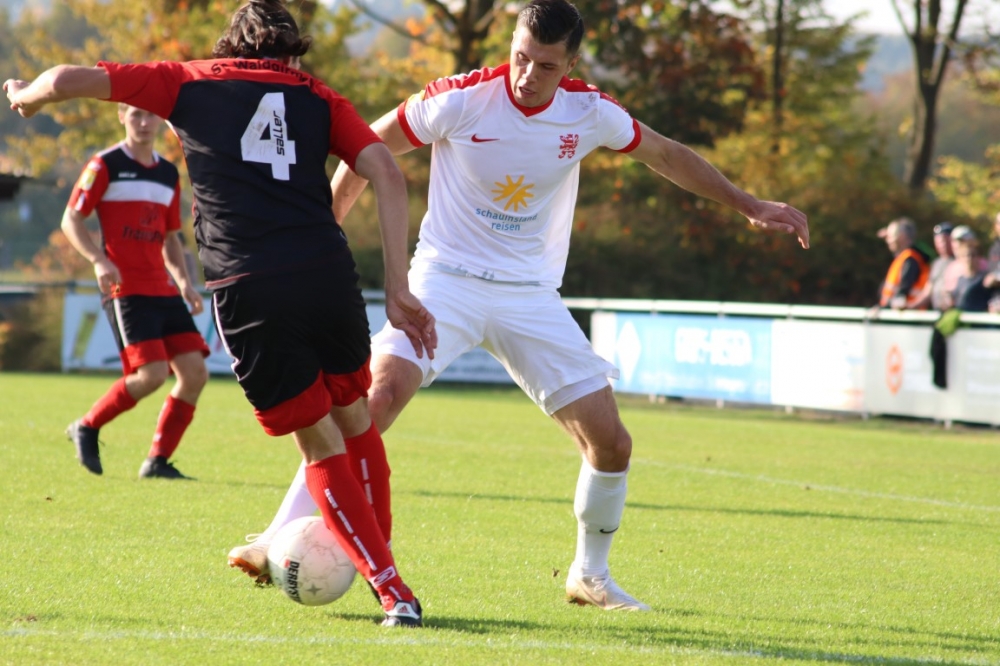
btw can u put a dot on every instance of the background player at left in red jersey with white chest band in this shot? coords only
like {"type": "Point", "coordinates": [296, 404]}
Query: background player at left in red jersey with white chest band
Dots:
{"type": "Point", "coordinates": [136, 194]}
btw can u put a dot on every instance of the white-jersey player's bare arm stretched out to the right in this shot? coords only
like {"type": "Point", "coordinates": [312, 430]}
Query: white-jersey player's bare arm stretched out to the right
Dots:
{"type": "Point", "coordinates": [687, 169]}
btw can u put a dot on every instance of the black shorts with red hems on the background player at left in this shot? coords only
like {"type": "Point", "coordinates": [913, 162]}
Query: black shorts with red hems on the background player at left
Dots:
{"type": "Point", "coordinates": [152, 328]}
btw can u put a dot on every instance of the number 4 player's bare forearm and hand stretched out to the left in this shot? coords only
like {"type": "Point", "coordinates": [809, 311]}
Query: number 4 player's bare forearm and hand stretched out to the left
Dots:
{"type": "Point", "coordinates": [59, 83]}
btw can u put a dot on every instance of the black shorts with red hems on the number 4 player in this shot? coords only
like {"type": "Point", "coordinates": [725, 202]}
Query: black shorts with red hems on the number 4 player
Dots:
{"type": "Point", "coordinates": [286, 332]}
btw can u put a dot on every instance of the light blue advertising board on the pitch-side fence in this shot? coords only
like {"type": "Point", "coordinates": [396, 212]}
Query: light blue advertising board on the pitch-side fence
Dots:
{"type": "Point", "coordinates": [693, 356]}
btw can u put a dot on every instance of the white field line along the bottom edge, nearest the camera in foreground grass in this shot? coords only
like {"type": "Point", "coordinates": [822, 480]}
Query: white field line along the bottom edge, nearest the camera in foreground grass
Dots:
{"type": "Point", "coordinates": [425, 638]}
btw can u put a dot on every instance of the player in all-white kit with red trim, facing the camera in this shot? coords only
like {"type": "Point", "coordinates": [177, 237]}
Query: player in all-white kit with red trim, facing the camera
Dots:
{"type": "Point", "coordinates": [507, 143]}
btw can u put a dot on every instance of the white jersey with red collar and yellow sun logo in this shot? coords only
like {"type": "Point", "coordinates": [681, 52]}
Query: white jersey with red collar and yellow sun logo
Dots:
{"type": "Point", "coordinates": [504, 177]}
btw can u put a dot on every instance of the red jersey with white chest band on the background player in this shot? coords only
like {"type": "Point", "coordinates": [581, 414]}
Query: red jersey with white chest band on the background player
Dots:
{"type": "Point", "coordinates": [136, 206]}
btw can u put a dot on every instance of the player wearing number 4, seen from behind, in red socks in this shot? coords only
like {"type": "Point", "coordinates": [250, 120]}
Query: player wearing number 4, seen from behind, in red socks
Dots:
{"type": "Point", "coordinates": [256, 134]}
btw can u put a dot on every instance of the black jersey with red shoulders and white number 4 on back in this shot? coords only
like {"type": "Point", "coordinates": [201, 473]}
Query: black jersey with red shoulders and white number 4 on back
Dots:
{"type": "Point", "coordinates": [256, 135]}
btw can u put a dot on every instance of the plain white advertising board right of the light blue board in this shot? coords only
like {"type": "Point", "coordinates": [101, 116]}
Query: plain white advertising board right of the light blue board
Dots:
{"type": "Point", "coordinates": [818, 365]}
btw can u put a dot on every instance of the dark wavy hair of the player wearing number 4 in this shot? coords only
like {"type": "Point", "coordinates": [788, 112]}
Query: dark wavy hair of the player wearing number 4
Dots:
{"type": "Point", "coordinates": [262, 29]}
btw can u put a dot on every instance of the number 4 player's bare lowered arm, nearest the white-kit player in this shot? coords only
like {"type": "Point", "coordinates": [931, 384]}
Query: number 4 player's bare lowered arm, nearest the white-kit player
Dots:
{"type": "Point", "coordinates": [404, 310]}
